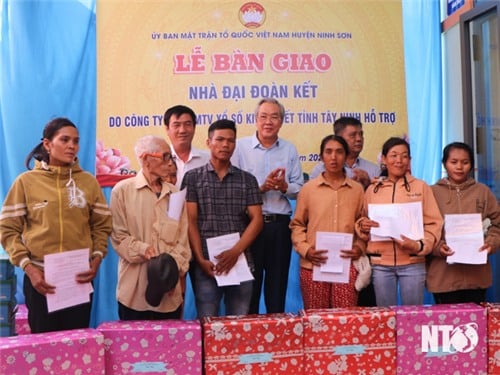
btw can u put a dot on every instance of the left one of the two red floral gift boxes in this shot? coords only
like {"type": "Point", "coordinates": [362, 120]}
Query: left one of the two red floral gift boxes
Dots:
{"type": "Point", "coordinates": [266, 344]}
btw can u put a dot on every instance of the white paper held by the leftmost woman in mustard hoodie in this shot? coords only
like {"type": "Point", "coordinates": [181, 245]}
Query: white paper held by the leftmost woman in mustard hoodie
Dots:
{"type": "Point", "coordinates": [60, 271]}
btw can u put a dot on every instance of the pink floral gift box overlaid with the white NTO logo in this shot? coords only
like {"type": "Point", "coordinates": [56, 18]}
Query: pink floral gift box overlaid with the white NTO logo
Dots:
{"type": "Point", "coordinates": [441, 339]}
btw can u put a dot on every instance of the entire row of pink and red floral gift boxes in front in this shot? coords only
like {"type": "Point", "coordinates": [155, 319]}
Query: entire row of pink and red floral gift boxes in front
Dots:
{"type": "Point", "coordinates": [439, 339]}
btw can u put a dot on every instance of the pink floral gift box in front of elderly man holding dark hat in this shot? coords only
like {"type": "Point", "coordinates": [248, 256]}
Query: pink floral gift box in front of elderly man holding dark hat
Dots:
{"type": "Point", "coordinates": [152, 347]}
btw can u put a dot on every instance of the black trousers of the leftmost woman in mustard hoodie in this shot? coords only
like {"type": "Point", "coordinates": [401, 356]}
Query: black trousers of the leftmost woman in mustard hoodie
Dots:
{"type": "Point", "coordinates": [40, 320]}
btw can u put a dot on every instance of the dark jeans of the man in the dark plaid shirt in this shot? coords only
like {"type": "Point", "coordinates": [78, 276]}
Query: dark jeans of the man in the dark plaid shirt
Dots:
{"type": "Point", "coordinates": [208, 295]}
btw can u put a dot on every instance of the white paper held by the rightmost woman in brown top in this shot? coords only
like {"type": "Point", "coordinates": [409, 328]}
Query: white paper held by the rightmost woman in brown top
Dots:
{"type": "Point", "coordinates": [464, 235]}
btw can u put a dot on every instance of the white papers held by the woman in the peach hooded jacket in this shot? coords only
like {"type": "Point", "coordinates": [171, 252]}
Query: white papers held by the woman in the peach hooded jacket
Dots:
{"type": "Point", "coordinates": [396, 219]}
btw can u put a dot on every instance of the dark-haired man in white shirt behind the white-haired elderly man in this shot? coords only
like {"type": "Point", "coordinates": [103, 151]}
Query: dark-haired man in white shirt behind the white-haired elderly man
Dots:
{"type": "Point", "coordinates": [180, 123]}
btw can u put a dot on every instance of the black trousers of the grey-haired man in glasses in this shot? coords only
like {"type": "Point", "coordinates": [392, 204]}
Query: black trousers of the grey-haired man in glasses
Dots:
{"type": "Point", "coordinates": [271, 253]}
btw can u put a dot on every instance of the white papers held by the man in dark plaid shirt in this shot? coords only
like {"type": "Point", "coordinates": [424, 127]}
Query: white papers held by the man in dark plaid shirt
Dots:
{"type": "Point", "coordinates": [240, 272]}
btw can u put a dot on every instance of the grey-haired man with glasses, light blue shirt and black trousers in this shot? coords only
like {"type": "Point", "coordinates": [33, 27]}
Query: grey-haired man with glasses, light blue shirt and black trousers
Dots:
{"type": "Point", "coordinates": [275, 163]}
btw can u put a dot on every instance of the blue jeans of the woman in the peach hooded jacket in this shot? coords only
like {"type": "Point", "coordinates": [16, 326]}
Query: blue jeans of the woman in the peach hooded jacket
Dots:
{"type": "Point", "coordinates": [410, 279]}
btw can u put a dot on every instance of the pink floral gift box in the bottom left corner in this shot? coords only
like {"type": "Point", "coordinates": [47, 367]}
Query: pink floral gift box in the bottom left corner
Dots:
{"type": "Point", "coordinates": [79, 351]}
